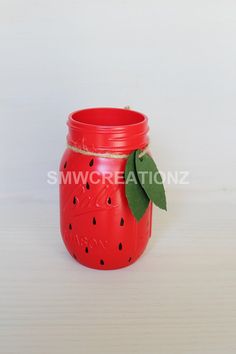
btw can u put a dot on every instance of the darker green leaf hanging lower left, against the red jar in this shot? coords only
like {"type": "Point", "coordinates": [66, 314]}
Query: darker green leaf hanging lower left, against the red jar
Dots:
{"type": "Point", "coordinates": [137, 198]}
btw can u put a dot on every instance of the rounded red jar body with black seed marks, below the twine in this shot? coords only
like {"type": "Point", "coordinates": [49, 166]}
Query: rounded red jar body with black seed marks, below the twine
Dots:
{"type": "Point", "coordinates": [97, 225]}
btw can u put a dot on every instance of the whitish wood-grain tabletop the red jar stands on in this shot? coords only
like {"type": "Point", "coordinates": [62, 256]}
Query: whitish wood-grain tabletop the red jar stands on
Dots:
{"type": "Point", "coordinates": [178, 298]}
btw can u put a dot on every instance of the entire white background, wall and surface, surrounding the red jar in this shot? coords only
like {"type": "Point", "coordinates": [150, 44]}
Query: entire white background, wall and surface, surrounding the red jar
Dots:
{"type": "Point", "coordinates": [175, 62]}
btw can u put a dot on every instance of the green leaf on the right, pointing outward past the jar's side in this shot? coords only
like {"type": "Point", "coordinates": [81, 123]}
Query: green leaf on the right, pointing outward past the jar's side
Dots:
{"type": "Point", "coordinates": [150, 179]}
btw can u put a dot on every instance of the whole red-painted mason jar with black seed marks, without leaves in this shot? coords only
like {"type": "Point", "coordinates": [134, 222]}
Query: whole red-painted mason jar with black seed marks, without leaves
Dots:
{"type": "Point", "coordinates": [97, 225]}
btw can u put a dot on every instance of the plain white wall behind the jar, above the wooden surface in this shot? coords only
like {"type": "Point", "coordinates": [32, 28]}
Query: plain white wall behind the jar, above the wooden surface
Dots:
{"type": "Point", "coordinates": [173, 60]}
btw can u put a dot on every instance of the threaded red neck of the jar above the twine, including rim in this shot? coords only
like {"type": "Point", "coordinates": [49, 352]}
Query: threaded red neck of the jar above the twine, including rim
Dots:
{"type": "Point", "coordinates": [104, 130]}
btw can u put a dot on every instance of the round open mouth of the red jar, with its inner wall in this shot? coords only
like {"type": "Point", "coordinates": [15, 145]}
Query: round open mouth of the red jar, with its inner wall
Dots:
{"type": "Point", "coordinates": [106, 117]}
